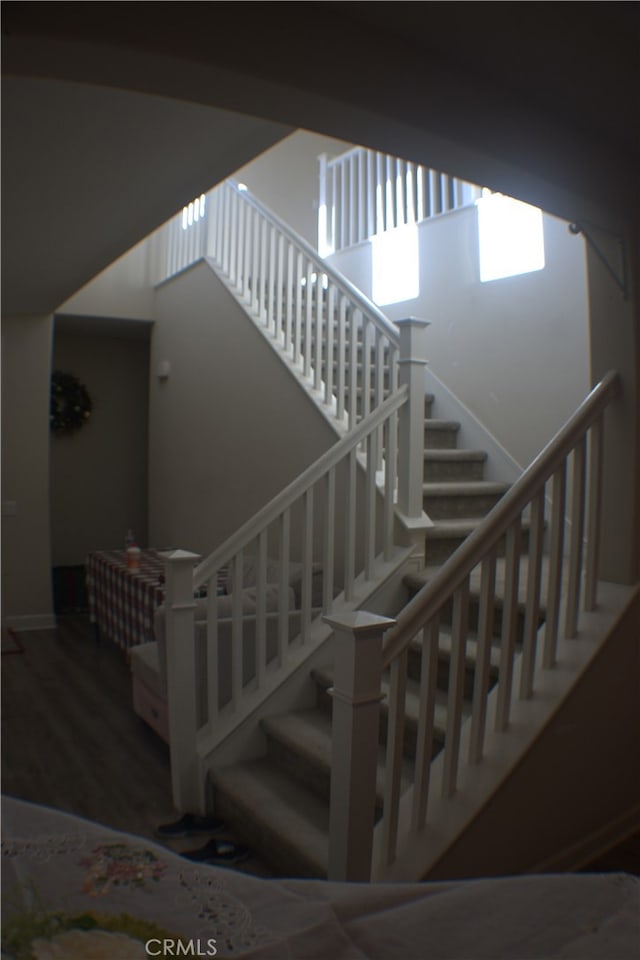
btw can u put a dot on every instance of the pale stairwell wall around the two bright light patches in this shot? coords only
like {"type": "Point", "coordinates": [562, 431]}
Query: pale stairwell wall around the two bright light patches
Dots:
{"type": "Point", "coordinates": [515, 351]}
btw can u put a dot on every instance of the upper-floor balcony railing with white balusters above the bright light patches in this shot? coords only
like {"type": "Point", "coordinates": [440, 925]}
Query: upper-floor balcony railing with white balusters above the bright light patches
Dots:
{"type": "Point", "coordinates": [364, 193]}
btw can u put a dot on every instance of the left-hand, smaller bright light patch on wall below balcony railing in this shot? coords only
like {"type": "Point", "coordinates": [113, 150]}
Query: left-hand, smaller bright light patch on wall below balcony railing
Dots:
{"type": "Point", "coordinates": [394, 265]}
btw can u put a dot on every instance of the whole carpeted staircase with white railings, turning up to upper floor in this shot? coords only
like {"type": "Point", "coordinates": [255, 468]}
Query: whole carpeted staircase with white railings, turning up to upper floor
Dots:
{"type": "Point", "coordinates": [511, 577]}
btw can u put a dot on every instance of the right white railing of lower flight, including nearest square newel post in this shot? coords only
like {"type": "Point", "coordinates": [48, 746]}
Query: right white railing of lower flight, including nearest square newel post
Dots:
{"type": "Point", "coordinates": [576, 451]}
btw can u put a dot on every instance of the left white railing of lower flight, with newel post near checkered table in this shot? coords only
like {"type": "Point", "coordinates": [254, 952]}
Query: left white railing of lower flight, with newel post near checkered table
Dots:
{"type": "Point", "coordinates": [333, 518]}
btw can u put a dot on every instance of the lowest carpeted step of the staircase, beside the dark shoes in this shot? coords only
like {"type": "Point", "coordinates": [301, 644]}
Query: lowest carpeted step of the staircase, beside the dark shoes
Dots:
{"type": "Point", "coordinates": [275, 814]}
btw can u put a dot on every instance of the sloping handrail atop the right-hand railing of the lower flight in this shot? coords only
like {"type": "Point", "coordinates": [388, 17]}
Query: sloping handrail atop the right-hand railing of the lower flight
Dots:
{"type": "Point", "coordinates": [450, 576]}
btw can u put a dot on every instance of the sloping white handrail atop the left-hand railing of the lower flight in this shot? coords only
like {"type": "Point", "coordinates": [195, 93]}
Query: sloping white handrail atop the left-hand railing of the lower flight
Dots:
{"type": "Point", "coordinates": [297, 487]}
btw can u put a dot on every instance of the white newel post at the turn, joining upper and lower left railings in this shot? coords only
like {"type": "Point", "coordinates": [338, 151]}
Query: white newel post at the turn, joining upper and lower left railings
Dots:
{"type": "Point", "coordinates": [411, 364]}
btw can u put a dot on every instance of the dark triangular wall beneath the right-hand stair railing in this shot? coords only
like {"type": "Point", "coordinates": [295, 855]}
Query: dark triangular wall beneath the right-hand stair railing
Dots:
{"type": "Point", "coordinates": [579, 778]}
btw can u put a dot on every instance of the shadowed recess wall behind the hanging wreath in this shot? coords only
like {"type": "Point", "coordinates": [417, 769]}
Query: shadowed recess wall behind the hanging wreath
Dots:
{"type": "Point", "coordinates": [99, 473]}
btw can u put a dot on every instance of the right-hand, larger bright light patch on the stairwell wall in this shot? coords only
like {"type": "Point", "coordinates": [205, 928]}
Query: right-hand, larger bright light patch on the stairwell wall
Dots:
{"type": "Point", "coordinates": [511, 238]}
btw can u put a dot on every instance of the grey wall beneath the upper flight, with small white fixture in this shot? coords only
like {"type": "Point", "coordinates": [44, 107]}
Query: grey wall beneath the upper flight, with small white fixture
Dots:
{"type": "Point", "coordinates": [227, 430]}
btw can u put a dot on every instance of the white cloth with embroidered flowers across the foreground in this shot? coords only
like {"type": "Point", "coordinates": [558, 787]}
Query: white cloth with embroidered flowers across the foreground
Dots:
{"type": "Point", "coordinates": [73, 890]}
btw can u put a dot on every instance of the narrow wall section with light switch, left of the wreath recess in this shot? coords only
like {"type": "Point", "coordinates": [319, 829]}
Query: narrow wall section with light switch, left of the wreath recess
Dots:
{"type": "Point", "coordinates": [26, 546]}
